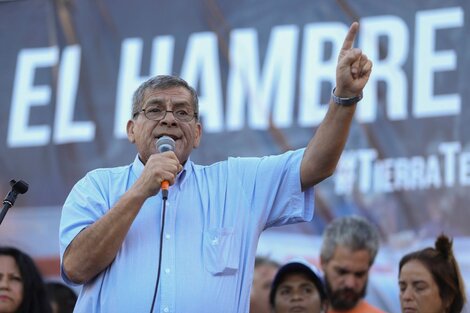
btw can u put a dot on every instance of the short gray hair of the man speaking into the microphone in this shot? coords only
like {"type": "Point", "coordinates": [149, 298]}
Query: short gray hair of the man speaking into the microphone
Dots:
{"type": "Point", "coordinates": [161, 82]}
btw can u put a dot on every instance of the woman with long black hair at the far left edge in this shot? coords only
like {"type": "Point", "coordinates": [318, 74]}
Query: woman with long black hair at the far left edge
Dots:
{"type": "Point", "coordinates": [21, 285]}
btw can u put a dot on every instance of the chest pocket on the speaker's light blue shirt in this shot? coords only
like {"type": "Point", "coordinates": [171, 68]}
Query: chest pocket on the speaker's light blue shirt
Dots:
{"type": "Point", "coordinates": [221, 251]}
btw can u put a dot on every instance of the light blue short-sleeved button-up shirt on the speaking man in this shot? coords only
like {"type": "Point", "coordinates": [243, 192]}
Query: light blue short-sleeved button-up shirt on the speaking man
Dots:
{"type": "Point", "coordinates": [214, 217]}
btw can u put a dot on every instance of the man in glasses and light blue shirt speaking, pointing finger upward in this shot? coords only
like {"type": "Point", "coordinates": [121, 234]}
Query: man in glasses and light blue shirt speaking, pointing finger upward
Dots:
{"type": "Point", "coordinates": [135, 251]}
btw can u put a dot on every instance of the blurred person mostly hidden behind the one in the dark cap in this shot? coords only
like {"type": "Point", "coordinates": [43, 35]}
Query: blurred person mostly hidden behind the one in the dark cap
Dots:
{"type": "Point", "coordinates": [265, 270]}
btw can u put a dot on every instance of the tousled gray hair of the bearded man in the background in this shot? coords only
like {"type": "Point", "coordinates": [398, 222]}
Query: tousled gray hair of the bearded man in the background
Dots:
{"type": "Point", "coordinates": [353, 232]}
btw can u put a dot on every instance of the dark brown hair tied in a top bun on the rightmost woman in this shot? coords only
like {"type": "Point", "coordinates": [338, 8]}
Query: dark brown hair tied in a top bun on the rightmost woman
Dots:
{"type": "Point", "coordinates": [441, 263]}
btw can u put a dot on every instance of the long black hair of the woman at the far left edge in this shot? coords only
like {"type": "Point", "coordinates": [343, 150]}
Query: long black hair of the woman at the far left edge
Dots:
{"type": "Point", "coordinates": [34, 292]}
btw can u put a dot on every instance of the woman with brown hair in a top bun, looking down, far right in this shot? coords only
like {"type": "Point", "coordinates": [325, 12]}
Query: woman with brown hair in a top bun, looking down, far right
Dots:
{"type": "Point", "coordinates": [430, 280]}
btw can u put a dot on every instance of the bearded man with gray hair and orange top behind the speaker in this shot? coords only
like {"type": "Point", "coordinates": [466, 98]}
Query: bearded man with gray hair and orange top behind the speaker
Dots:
{"type": "Point", "coordinates": [349, 248]}
